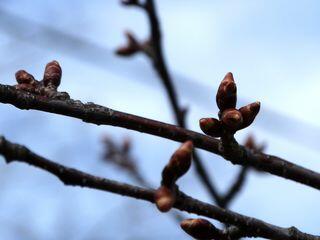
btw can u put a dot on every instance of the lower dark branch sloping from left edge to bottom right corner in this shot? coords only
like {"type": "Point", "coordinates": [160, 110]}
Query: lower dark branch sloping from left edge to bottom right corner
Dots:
{"type": "Point", "coordinates": [70, 176]}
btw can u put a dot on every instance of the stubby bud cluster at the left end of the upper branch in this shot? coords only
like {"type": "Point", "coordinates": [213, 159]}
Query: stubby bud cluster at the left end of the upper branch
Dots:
{"type": "Point", "coordinates": [47, 86]}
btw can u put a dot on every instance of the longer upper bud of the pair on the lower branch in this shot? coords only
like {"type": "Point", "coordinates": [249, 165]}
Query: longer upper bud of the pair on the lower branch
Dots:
{"type": "Point", "coordinates": [178, 165]}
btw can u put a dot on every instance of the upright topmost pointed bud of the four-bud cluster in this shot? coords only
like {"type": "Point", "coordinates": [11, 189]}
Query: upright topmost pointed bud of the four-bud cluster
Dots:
{"type": "Point", "coordinates": [227, 93]}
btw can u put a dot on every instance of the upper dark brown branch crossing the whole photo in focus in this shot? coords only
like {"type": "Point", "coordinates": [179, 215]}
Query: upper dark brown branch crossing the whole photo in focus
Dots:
{"type": "Point", "coordinates": [100, 115]}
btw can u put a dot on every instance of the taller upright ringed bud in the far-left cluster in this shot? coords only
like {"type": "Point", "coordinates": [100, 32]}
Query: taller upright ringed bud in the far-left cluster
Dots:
{"type": "Point", "coordinates": [52, 74]}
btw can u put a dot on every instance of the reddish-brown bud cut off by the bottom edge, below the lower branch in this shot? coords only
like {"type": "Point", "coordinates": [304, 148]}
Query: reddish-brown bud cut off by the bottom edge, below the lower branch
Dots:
{"type": "Point", "coordinates": [201, 229]}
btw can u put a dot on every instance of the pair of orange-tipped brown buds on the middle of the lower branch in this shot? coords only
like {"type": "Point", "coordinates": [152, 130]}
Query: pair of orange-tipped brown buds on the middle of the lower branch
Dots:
{"type": "Point", "coordinates": [179, 164]}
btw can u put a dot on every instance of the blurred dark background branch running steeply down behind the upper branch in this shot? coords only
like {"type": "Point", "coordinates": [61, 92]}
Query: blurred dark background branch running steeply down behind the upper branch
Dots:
{"type": "Point", "coordinates": [154, 50]}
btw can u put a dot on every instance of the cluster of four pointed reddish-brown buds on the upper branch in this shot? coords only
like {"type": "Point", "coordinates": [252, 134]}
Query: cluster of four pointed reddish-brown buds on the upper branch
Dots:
{"type": "Point", "coordinates": [231, 119]}
